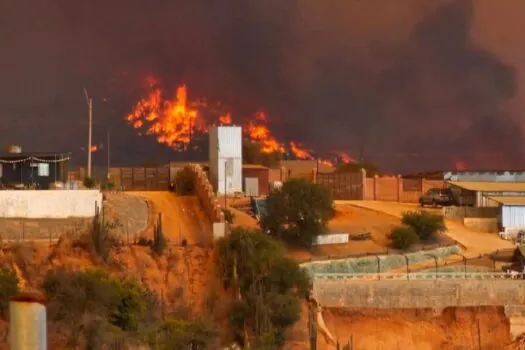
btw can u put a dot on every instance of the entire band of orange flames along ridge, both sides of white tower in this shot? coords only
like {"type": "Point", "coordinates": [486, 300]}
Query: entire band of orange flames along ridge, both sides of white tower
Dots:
{"type": "Point", "coordinates": [174, 121]}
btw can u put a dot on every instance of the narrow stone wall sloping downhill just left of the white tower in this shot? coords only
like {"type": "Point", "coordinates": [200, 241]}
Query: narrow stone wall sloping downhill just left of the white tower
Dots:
{"type": "Point", "coordinates": [204, 191]}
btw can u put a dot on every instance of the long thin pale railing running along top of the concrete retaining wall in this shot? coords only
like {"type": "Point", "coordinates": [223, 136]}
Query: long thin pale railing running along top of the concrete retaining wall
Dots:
{"type": "Point", "coordinates": [419, 276]}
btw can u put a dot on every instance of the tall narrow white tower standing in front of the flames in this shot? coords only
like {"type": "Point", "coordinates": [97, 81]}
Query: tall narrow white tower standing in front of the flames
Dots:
{"type": "Point", "coordinates": [226, 159]}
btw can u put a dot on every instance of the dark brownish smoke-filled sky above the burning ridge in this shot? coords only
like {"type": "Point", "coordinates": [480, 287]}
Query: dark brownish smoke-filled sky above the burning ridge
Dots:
{"type": "Point", "coordinates": [408, 84]}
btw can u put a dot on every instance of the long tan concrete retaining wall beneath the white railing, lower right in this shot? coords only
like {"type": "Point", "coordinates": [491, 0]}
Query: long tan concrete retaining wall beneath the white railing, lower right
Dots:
{"type": "Point", "coordinates": [437, 294]}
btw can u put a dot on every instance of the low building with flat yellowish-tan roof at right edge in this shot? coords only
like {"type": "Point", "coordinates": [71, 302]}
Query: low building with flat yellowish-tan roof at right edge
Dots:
{"type": "Point", "coordinates": [479, 193]}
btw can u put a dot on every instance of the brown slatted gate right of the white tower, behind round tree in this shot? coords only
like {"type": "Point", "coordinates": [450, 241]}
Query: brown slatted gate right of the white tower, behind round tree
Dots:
{"type": "Point", "coordinates": [347, 186]}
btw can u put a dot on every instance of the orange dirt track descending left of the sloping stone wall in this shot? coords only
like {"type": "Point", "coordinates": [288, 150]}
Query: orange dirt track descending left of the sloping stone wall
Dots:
{"type": "Point", "coordinates": [182, 217]}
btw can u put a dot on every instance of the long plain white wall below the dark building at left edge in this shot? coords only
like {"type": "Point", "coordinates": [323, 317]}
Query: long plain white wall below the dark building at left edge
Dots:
{"type": "Point", "coordinates": [54, 204]}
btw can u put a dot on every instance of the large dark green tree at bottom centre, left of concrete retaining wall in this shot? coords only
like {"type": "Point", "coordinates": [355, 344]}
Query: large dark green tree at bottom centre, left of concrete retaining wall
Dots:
{"type": "Point", "coordinates": [270, 284]}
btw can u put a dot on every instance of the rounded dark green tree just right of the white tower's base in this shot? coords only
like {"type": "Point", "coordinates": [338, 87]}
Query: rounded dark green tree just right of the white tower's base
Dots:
{"type": "Point", "coordinates": [298, 211]}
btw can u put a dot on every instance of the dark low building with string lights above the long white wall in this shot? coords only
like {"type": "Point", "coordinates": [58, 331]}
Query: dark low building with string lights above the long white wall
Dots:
{"type": "Point", "coordinates": [22, 170]}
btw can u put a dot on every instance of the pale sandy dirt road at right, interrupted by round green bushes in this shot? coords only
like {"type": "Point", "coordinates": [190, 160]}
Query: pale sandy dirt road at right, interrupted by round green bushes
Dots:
{"type": "Point", "coordinates": [476, 243]}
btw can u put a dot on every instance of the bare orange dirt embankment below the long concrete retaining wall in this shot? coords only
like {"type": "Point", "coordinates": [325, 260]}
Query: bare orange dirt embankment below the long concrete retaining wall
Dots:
{"type": "Point", "coordinates": [454, 329]}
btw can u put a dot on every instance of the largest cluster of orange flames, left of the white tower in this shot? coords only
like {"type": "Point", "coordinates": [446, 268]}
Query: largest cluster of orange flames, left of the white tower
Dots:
{"type": "Point", "coordinates": [171, 121]}
